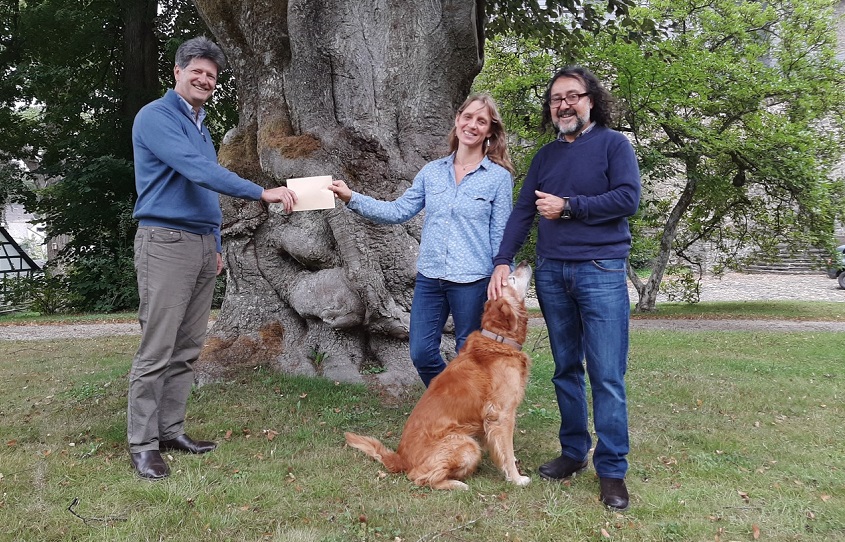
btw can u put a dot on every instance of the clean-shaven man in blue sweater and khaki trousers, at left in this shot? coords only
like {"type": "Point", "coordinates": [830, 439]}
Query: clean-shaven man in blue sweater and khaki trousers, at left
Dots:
{"type": "Point", "coordinates": [177, 253]}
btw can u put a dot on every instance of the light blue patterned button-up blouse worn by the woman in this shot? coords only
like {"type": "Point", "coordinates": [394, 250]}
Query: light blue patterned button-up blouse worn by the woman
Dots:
{"type": "Point", "coordinates": [463, 223]}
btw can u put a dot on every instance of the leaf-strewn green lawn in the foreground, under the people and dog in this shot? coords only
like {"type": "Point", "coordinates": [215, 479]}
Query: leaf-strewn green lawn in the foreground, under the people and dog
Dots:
{"type": "Point", "coordinates": [734, 436]}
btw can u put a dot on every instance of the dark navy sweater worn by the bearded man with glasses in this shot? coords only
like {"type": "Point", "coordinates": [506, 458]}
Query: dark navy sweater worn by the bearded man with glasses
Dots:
{"type": "Point", "coordinates": [598, 172]}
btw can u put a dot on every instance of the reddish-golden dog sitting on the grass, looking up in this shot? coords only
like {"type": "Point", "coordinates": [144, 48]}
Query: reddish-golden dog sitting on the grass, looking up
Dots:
{"type": "Point", "coordinates": [474, 398]}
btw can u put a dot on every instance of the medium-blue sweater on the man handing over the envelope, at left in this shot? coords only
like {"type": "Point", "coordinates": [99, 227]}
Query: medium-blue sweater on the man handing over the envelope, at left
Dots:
{"type": "Point", "coordinates": [176, 171]}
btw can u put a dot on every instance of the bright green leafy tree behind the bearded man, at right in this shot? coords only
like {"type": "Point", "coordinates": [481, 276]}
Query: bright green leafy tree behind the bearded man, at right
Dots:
{"type": "Point", "coordinates": [736, 114]}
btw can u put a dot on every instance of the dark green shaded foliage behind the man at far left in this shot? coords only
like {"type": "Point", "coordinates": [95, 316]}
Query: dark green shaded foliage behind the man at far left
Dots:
{"type": "Point", "coordinates": [67, 114]}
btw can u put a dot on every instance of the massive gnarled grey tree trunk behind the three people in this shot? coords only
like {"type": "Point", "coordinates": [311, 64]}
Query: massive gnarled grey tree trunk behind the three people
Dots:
{"type": "Point", "coordinates": [363, 90]}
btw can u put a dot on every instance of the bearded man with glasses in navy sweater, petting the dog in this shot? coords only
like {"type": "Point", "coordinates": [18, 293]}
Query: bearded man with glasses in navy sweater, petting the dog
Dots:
{"type": "Point", "coordinates": [584, 185]}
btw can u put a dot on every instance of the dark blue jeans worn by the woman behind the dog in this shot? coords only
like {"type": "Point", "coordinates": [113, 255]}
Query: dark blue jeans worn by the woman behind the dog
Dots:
{"type": "Point", "coordinates": [433, 300]}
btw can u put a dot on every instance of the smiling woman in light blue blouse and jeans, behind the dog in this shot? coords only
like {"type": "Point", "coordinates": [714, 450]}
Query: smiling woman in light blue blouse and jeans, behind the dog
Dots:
{"type": "Point", "coordinates": [467, 197]}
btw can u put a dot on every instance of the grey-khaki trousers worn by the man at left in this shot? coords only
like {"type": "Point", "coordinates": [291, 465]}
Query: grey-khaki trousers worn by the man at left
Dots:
{"type": "Point", "coordinates": [176, 275]}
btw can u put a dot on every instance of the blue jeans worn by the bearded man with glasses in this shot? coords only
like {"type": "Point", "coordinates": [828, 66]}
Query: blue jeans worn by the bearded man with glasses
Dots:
{"type": "Point", "coordinates": [586, 308]}
